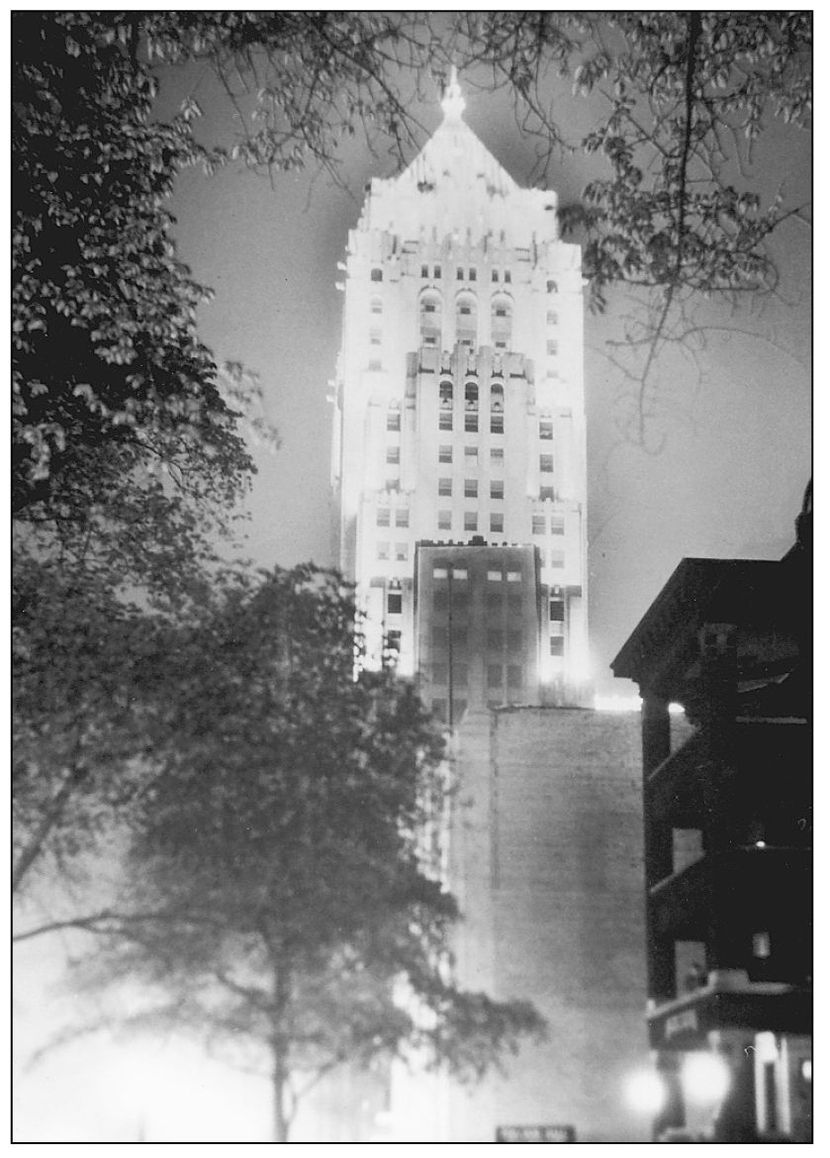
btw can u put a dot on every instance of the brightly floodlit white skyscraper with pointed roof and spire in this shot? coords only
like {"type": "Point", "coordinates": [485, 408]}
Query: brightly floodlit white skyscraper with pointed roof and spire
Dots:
{"type": "Point", "coordinates": [461, 421]}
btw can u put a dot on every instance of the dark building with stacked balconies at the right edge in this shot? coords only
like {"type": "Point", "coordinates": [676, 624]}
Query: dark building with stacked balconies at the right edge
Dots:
{"type": "Point", "coordinates": [728, 845]}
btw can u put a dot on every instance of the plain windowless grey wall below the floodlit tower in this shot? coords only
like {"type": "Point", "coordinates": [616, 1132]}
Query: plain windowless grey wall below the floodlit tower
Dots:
{"type": "Point", "coordinates": [548, 863]}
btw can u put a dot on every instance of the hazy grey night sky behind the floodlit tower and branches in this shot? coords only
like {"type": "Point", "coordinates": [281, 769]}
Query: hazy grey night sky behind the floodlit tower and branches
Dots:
{"type": "Point", "coordinates": [737, 458]}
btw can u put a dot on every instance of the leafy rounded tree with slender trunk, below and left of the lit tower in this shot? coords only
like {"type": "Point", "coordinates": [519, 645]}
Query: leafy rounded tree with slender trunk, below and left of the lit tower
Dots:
{"type": "Point", "coordinates": [282, 900]}
